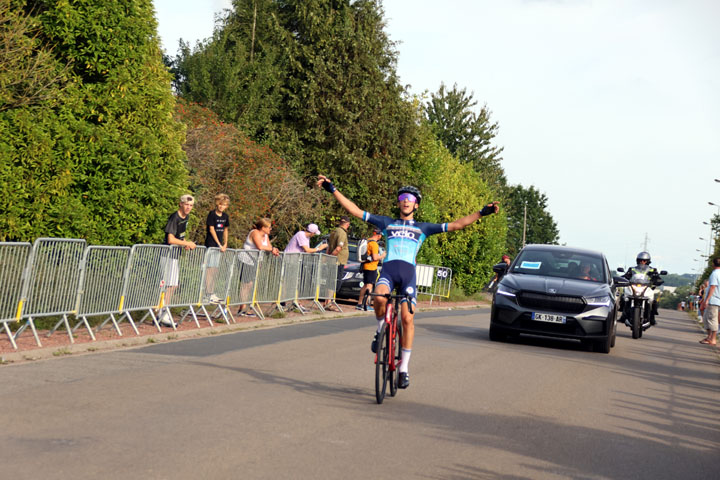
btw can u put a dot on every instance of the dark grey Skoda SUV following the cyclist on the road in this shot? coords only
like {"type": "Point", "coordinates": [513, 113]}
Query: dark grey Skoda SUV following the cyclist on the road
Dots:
{"type": "Point", "coordinates": [557, 291]}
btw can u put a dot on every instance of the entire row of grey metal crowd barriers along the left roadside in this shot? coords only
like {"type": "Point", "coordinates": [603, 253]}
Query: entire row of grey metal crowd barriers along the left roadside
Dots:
{"type": "Point", "coordinates": [59, 277]}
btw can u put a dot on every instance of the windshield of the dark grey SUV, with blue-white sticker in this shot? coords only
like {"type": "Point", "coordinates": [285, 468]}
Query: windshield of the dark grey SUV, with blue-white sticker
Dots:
{"type": "Point", "coordinates": [560, 263]}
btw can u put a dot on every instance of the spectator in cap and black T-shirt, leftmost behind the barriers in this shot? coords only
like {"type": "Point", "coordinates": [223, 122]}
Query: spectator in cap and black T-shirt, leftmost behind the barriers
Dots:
{"type": "Point", "coordinates": [175, 236]}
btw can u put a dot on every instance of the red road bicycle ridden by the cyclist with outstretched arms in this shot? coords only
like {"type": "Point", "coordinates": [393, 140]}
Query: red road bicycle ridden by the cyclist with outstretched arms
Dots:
{"type": "Point", "coordinates": [389, 345]}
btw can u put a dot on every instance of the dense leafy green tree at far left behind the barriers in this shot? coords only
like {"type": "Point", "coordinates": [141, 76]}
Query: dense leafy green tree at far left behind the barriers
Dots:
{"type": "Point", "coordinates": [103, 161]}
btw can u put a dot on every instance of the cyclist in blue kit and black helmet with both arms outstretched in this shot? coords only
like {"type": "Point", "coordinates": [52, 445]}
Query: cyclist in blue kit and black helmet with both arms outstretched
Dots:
{"type": "Point", "coordinates": [404, 237]}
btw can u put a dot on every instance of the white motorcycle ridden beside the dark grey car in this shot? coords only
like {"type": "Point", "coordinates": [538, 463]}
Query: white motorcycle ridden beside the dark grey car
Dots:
{"type": "Point", "coordinates": [637, 300]}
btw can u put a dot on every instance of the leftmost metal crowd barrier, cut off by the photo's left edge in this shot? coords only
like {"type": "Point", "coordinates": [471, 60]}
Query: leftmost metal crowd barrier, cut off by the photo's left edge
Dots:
{"type": "Point", "coordinates": [13, 260]}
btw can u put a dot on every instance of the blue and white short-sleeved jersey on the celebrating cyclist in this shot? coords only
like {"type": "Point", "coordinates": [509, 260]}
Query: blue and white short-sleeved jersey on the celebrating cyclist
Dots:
{"type": "Point", "coordinates": [403, 237]}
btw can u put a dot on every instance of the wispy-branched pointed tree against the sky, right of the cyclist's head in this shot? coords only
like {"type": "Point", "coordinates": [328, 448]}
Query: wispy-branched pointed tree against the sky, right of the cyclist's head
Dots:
{"type": "Point", "coordinates": [466, 134]}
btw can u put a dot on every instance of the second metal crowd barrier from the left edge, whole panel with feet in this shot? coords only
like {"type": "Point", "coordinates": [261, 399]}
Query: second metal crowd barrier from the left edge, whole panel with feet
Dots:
{"type": "Point", "coordinates": [52, 282]}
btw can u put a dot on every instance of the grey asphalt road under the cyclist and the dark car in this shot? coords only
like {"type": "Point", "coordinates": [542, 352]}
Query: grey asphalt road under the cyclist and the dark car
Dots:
{"type": "Point", "coordinates": [298, 402]}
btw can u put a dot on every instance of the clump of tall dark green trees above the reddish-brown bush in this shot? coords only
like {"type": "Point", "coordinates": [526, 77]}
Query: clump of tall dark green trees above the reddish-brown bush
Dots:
{"type": "Point", "coordinates": [334, 103]}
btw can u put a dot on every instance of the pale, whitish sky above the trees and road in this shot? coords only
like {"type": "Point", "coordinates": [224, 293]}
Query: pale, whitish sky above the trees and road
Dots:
{"type": "Point", "coordinates": [611, 108]}
